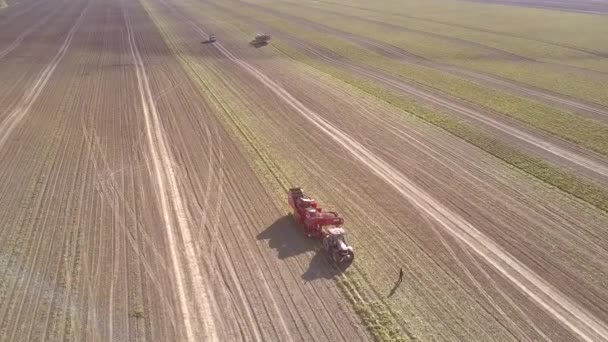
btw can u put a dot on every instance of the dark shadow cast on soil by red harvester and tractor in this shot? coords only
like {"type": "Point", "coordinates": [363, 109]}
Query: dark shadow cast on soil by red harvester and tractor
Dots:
{"type": "Point", "coordinates": [289, 240]}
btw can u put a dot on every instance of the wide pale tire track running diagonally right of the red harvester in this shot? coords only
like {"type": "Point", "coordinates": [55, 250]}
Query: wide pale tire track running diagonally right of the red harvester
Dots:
{"type": "Point", "coordinates": [562, 308]}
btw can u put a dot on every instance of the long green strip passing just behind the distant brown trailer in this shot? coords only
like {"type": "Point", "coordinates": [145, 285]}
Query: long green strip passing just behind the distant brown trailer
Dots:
{"type": "Point", "coordinates": [586, 132]}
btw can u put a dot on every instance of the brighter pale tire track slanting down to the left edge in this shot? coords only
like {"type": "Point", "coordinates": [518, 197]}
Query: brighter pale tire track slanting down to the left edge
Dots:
{"type": "Point", "coordinates": [32, 94]}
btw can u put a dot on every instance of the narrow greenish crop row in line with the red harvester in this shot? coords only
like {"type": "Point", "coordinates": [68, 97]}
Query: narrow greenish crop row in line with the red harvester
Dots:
{"type": "Point", "coordinates": [375, 315]}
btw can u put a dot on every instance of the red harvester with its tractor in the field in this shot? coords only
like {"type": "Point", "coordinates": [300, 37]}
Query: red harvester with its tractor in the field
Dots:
{"type": "Point", "coordinates": [323, 225]}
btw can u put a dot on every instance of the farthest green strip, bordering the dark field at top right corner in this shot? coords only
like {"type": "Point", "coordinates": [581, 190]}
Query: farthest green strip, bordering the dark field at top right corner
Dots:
{"type": "Point", "coordinates": [558, 28]}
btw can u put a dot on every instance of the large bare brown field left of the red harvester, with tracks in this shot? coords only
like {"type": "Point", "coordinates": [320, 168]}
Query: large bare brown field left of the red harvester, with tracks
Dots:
{"type": "Point", "coordinates": [128, 212]}
